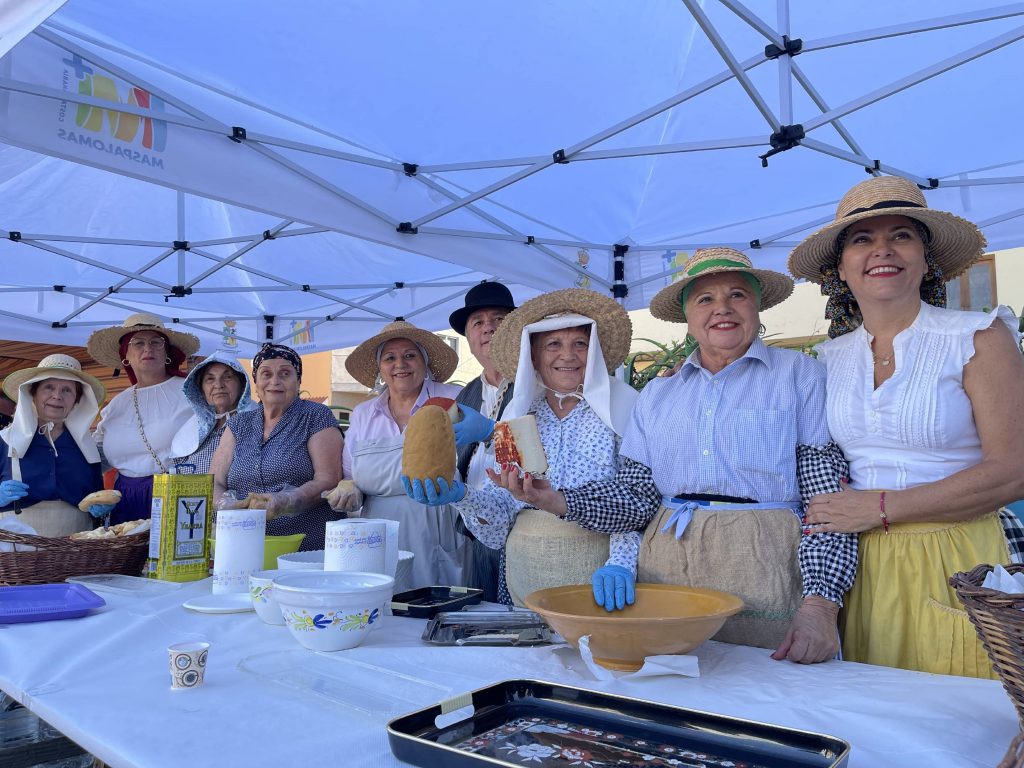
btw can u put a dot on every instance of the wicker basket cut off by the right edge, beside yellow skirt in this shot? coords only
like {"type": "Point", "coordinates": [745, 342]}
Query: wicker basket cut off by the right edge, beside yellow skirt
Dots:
{"type": "Point", "coordinates": [1000, 623]}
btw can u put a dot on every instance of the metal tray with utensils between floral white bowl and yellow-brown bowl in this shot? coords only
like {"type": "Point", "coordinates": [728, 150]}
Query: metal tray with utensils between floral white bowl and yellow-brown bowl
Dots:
{"type": "Point", "coordinates": [488, 628]}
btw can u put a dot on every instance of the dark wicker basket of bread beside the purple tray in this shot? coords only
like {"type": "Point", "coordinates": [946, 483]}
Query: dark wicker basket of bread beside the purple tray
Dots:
{"type": "Point", "coordinates": [57, 559]}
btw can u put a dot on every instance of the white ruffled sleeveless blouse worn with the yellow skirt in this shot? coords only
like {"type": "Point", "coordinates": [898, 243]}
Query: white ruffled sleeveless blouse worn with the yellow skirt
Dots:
{"type": "Point", "coordinates": [918, 428]}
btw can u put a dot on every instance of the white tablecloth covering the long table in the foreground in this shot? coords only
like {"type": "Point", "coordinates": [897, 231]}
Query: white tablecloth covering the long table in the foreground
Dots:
{"type": "Point", "coordinates": [104, 681]}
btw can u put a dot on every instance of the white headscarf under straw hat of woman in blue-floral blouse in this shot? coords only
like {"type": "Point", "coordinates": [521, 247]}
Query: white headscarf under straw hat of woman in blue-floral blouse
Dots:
{"type": "Point", "coordinates": [612, 400]}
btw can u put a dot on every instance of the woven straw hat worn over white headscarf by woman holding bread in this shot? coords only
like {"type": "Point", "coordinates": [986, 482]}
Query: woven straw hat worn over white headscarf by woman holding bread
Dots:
{"type": "Point", "coordinates": [615, 330]}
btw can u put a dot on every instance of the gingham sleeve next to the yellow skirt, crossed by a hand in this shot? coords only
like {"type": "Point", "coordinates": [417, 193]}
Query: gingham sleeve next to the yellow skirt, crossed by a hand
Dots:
{"type": "Point", "coordinates": [828, 562]}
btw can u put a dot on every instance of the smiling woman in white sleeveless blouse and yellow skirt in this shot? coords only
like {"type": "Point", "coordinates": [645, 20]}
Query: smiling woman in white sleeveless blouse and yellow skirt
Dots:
{"type": "Point", "coordinates": [928, 406]}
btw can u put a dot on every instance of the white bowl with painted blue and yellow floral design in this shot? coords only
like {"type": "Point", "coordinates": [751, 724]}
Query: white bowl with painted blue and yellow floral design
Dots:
{"type": "Point", "coordinates": [332, 611]}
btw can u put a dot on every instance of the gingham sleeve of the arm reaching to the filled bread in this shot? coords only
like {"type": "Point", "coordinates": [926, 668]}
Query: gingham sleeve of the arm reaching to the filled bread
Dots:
{"type": "Point", "coordinates": [625, 503]}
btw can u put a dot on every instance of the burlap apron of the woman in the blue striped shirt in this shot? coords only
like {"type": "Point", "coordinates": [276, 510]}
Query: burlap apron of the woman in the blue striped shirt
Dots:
{"type": "Point", "coordinates": [751, 553]}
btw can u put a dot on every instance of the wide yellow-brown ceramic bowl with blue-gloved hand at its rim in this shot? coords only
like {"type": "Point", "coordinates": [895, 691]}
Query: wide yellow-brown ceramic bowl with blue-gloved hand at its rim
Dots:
{"type": "Point", "coordinates": [666, 619]}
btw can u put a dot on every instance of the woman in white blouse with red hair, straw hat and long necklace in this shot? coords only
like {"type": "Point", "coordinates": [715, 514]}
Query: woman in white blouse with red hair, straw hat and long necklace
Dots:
{"type": "Point", "coordinates": [137, 428]}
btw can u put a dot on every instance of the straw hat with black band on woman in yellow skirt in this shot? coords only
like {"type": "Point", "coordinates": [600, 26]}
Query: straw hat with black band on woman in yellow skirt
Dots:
{"type": "Point", "coordinates": [956, 243]}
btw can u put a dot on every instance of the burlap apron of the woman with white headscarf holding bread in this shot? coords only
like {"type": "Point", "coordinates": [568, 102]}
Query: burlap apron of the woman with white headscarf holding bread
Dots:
{"type": "Point", "coordinates": [543, 551]}
